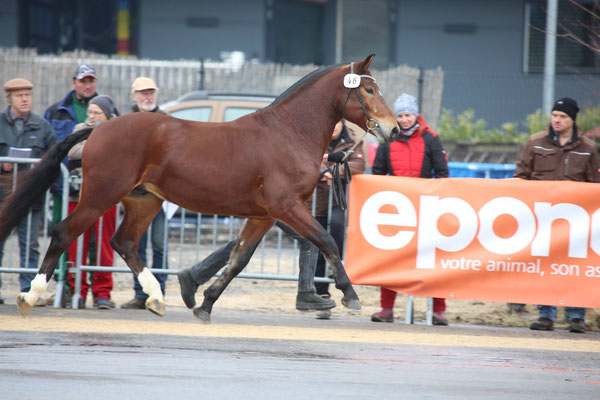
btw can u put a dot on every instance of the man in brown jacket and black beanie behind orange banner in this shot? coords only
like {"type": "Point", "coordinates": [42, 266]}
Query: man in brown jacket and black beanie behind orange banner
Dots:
{"type": "Point", "coordinates": [560, 153]}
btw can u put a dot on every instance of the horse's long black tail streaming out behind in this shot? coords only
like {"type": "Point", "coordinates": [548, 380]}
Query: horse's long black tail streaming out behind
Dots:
{"type": "Point", "coordinates": [35, 182]}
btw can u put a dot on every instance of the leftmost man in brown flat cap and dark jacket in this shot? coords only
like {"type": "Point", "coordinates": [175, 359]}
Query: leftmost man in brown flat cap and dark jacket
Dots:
{"type": "Point", "coordinates": [23, 134]}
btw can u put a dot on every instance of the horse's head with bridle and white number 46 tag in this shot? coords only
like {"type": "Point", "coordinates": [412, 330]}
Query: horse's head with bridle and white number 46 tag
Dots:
{"type": "Point", "coordinates": [363, 103]}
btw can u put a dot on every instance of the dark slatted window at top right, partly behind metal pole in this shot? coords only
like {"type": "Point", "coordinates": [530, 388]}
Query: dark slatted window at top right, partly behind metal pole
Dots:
{"type": "Point", "coordinates": [579, 20]}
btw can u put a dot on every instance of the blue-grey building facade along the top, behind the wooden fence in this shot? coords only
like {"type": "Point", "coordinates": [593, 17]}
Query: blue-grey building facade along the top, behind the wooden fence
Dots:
{"type": "Point", "coordinates": [491, 51]}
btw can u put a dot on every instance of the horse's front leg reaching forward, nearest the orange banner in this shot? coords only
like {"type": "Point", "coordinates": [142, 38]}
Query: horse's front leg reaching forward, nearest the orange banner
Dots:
{"type": "Point", "coordinates": [306, 225]}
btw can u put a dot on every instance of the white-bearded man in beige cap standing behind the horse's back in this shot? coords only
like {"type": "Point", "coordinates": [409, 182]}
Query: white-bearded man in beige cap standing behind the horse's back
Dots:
{"type": "Point", "coordinates": [144, 93]}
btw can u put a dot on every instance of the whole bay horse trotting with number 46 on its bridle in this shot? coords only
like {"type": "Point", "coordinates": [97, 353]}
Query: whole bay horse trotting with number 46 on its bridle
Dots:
{"type": "Point", "coordinates": [263, 166]}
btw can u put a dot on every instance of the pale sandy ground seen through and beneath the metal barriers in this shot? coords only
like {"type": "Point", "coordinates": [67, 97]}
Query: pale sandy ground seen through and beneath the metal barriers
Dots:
{"type": "Point", "coordinates": [278, 297]}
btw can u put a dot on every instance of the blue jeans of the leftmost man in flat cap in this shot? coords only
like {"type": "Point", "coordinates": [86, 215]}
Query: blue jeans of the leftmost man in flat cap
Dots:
{"type": "Point", "coordinates": [27, 260]}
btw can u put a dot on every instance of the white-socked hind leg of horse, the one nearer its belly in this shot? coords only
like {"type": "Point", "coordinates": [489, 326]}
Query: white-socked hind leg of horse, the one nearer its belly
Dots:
{"type": "Point", "coordinates": [140, 208]}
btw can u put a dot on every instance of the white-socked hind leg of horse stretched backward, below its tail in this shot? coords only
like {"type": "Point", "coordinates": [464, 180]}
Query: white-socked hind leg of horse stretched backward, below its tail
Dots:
{"type": "Point", "coordinates": [62, 236]}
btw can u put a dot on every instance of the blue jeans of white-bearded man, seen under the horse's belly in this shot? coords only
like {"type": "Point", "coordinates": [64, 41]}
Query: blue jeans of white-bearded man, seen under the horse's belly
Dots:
{"type": "Point", "coordinates": [159, 253]}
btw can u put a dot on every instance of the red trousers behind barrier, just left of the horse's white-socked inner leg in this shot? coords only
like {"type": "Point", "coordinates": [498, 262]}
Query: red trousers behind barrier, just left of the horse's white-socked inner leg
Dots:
{"type": "Point", "coordinates": [101, 281]}
